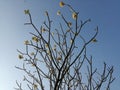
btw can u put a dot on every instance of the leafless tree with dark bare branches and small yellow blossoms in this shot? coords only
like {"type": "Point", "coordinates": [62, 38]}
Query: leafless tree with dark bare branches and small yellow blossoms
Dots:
{"type": "Point", "coordinates": [54, 57]}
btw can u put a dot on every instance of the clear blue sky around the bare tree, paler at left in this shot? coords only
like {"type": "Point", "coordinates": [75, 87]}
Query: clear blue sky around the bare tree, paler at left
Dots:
{"type": "Point", "coordinates": [104, 13]}
